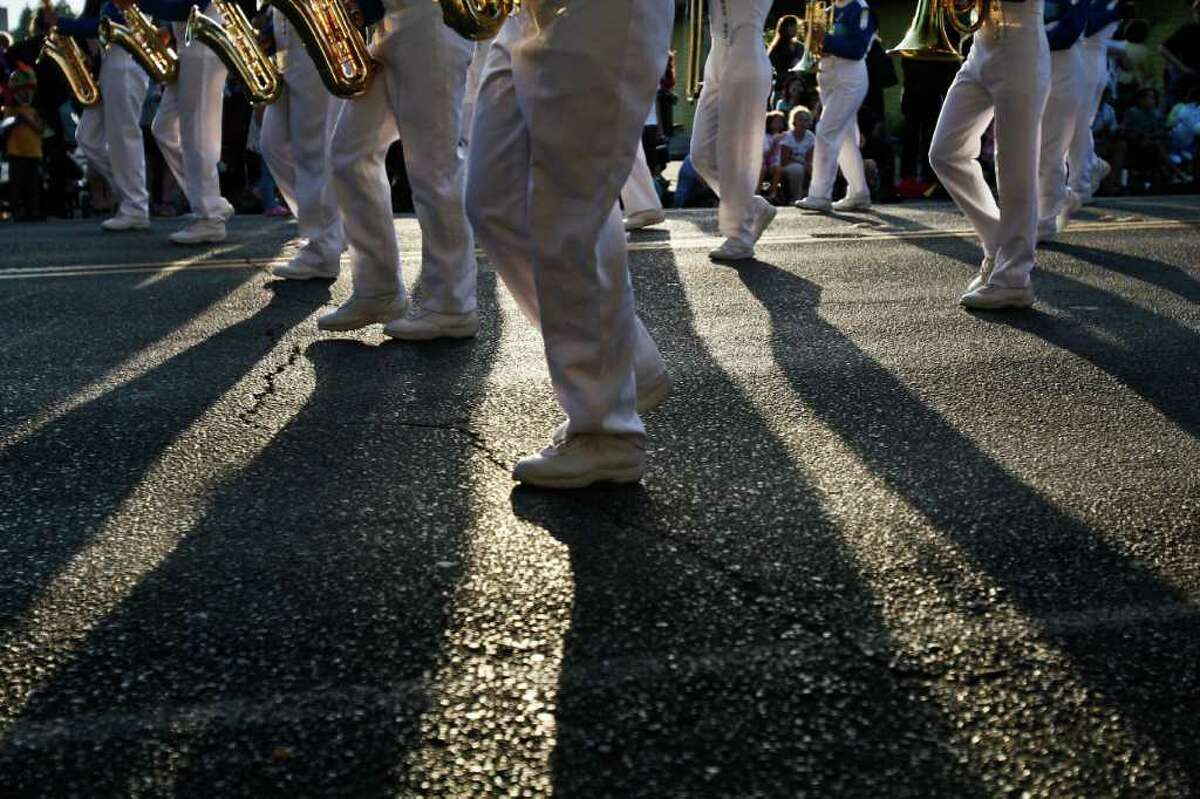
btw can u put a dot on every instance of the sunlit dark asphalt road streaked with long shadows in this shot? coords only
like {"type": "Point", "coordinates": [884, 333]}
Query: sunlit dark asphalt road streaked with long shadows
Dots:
{"type": "Point", "coordinates": [884, 548]}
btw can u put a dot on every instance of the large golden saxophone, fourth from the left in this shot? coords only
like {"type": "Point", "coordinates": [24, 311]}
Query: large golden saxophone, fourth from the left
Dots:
{"type": "Point", "coordinates": [334, 44]}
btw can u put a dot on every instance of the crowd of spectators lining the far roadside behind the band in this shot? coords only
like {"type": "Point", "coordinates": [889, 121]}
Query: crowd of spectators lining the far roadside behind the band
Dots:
{"type": "Point", "coordinates": [1147, 128]}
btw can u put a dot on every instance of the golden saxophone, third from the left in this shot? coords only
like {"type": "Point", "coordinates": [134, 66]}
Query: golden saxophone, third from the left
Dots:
{"type": "Point", "coordinates": [237, 45]}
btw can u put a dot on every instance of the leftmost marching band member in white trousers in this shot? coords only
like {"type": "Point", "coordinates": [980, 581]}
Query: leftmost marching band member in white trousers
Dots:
{"type": "Point", "coordinates": [110, 135]}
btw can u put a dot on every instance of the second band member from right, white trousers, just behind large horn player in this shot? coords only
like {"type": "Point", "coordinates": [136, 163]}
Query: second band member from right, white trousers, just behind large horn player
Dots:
{"type": "Point", "coordinates": [1065, 22]}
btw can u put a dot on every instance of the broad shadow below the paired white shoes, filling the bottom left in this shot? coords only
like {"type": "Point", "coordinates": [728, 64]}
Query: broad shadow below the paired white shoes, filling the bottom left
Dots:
{"type": "Point", "coordinates": [283, 647]}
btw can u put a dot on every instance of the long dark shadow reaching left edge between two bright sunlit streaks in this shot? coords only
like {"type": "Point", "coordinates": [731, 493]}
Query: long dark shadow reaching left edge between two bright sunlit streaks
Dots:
{"type": "Point", "coordinates": [67, 479]}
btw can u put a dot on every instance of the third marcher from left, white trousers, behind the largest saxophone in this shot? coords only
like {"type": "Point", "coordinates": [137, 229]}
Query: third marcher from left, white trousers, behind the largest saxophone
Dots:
{"type": "Point", "coordinates": [297, 133]}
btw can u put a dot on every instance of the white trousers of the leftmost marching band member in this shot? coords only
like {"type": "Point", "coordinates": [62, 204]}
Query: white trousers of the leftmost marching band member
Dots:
{"type": "Point", "coordinates": [111, 135]}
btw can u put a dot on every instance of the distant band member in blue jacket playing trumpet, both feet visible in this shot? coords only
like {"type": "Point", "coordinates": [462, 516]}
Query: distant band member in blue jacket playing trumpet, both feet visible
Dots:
{"type": "Point", "coordinates": [843, 83]}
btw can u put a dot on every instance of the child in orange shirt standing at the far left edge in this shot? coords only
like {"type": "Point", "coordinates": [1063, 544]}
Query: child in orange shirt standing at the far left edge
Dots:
{"type": "Point", "coordinates": [23, 147]}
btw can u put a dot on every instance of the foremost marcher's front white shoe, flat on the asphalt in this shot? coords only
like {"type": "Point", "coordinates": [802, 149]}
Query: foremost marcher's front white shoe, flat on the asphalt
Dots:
{"type": "Point", "coordinates": [583, 461]}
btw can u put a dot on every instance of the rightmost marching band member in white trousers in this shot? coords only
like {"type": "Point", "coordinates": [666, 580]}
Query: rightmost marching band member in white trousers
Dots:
{"type": "Point", "coordinates": [1089, 171]}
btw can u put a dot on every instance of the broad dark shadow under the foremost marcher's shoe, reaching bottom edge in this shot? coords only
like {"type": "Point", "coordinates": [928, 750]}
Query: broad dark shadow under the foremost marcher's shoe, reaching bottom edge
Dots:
{"type": "Point", "coordinates": [722, 640]}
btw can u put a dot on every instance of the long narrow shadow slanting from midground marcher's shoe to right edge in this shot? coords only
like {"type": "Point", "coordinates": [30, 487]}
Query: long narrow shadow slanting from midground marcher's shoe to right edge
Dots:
{"type": "Point", "coordinates": [1047, 562]}
